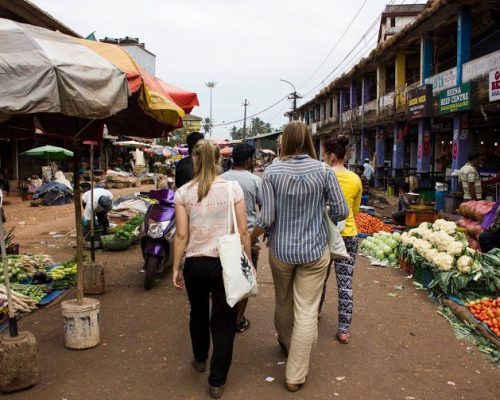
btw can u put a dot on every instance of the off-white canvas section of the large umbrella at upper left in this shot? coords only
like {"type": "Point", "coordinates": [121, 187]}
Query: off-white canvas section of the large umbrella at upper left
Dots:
{"type": "Point", "coordinates": [46, 71]}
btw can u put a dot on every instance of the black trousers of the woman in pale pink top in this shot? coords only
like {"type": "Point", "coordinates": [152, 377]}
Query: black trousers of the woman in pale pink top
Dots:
{"type": "Point", "coordinates": [203, 278]}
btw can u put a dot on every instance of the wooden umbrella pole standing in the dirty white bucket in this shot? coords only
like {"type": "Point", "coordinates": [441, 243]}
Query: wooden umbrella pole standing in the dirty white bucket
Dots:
{"type": "Point", "coordinates": [78, 220]}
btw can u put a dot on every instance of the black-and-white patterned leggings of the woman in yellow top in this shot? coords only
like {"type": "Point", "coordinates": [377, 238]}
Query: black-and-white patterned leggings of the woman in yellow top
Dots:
{"type": "Point", "coordinates": [344, 269]}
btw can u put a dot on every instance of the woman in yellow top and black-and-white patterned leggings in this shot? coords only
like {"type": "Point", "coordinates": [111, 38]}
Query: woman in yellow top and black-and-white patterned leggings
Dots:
{"type": "Point", "coordinates": [334, 155]}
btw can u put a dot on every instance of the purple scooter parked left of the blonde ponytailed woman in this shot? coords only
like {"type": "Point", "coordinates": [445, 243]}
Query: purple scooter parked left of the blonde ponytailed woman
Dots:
{"type": "Point", "coordinates": [158, 236]}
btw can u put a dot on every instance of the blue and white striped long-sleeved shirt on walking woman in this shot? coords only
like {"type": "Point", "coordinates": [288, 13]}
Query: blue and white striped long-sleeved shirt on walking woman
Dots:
{"type": "Point", "coordinates": [294, 195]}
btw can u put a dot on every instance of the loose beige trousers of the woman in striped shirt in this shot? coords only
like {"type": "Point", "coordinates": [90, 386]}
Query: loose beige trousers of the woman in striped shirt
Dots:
{"type": "Point", "coordinates": [298, 289]}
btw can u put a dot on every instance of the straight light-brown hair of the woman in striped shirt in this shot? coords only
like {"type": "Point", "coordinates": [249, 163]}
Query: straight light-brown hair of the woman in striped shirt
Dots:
{"type": "Point", "coordinates": [296, 140]}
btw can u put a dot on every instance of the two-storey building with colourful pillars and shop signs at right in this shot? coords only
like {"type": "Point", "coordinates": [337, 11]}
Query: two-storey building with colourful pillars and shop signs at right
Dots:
{"type": "Point", "coordinates": [424, 99]}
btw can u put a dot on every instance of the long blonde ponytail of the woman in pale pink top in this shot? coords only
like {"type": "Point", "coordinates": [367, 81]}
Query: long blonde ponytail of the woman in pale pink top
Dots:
{"type": "Point", "coordinates": [205, 156]}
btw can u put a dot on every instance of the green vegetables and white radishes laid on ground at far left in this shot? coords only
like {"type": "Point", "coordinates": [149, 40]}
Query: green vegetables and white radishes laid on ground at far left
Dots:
{"type": "Point", "coordinates": [32, 278]}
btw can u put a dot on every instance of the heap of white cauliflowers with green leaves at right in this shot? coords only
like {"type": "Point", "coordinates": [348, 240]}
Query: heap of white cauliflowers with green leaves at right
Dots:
{"type": "Point", "coordinates": [442, 248]}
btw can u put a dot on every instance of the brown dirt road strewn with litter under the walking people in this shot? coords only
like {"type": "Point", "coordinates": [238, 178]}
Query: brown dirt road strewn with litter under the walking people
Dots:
{"type": "Point", "coordinates": [400, 347]}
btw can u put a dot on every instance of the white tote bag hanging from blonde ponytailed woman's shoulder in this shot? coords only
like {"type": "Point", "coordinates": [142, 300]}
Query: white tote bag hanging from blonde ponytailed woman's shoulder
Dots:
{"type": "Point", "coordinates": [240, 278]}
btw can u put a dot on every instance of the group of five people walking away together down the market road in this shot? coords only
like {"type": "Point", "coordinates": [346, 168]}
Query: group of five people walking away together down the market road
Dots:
{"type": "Point", "coordinates": [292, 195]}
